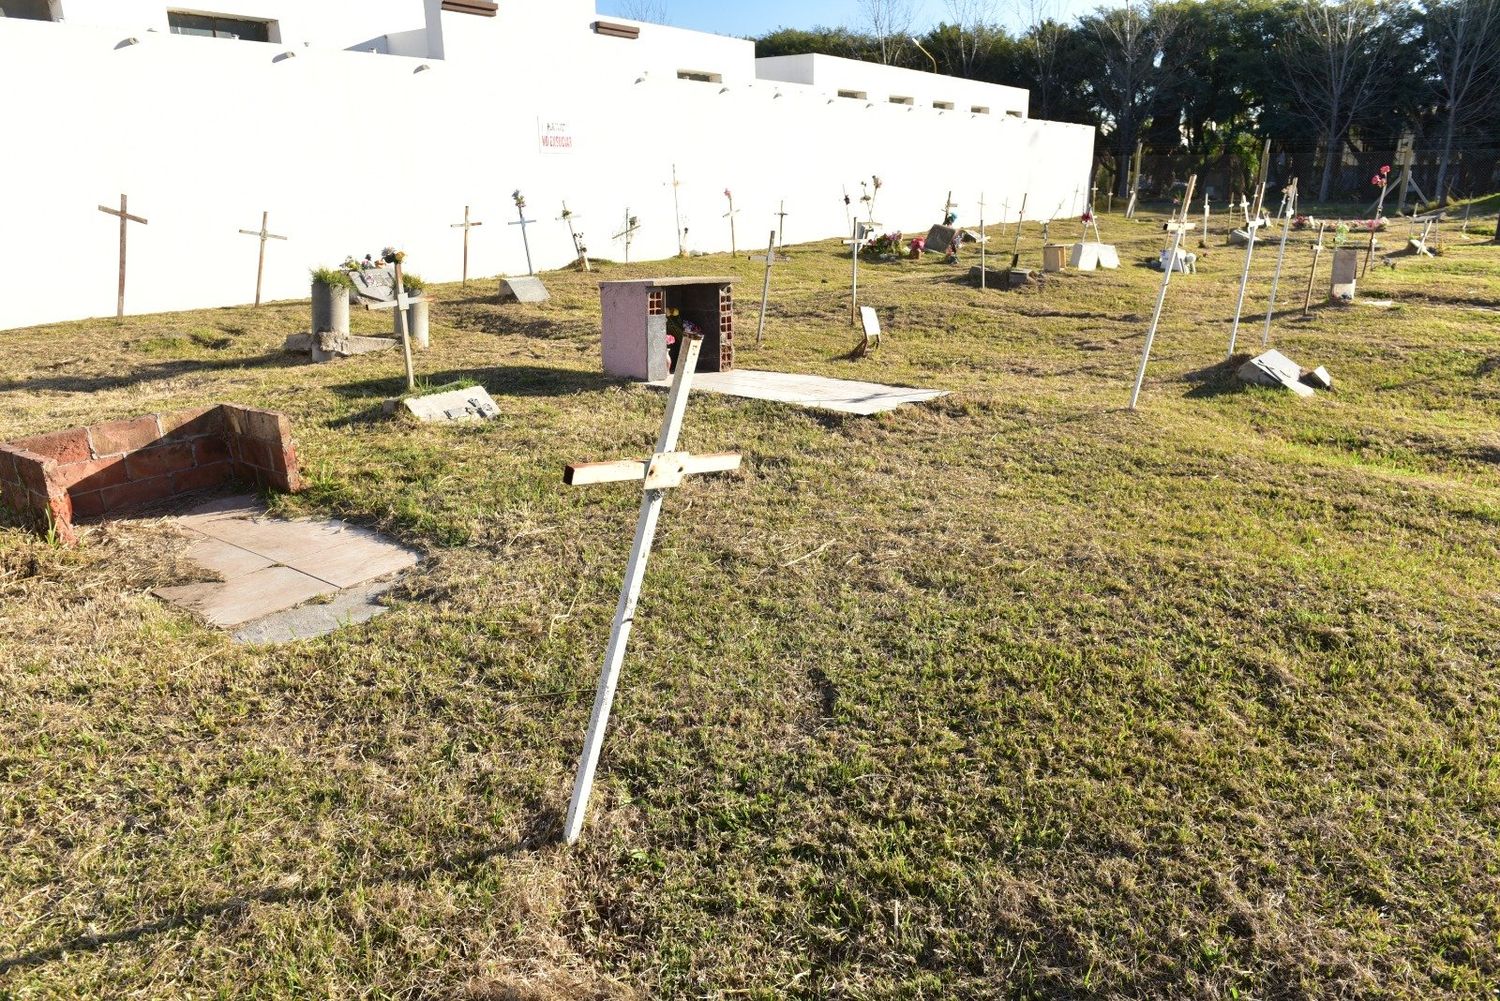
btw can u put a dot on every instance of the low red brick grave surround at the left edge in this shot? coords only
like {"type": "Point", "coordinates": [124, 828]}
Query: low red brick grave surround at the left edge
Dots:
{"type": "Point", "coordinates": [67, 476]}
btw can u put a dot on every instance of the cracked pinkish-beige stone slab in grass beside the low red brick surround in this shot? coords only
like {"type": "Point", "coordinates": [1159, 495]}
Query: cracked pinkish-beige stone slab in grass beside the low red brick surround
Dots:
{"type": "Point", "coordinates": [272, 568]}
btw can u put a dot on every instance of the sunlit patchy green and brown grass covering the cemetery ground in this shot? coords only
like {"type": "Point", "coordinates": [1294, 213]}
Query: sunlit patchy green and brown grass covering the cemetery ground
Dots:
{"type": "Point", "coordinates": [1012, 696]}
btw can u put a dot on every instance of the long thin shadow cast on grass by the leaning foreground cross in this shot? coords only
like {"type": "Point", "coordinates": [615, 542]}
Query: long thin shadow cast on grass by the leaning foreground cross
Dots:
{"type": "Point", "coordinates": [542, 832]}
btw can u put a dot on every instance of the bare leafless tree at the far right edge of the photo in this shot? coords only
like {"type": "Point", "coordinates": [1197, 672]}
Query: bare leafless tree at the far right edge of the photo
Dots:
{"type": "Point", "coordinates": [1465, 38]}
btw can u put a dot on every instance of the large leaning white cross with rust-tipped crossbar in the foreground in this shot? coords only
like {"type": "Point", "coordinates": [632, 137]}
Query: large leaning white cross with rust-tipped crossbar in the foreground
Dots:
{"type": "Point", "coordinates": [665, 470]}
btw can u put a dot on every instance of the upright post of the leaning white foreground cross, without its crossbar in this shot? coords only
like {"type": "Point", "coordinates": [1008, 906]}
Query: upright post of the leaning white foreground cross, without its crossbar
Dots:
{"type": "Point", "coordinates": [629, 597]}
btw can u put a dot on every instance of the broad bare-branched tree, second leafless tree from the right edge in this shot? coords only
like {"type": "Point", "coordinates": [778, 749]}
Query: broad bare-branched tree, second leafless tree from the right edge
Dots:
{"type": "Point", "coordinates": [1336, 67]}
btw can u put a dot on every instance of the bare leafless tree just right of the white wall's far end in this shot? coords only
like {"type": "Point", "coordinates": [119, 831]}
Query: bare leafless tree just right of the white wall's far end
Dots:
{"type": "Point", "coordinates": [1130, 44]}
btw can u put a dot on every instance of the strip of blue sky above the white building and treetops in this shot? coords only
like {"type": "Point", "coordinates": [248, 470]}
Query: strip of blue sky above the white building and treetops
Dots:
{"type": "Point", "coordinates": [758, 17]}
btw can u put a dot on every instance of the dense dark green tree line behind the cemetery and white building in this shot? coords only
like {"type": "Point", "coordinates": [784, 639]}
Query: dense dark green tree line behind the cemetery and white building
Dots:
{"type": "Point", "coordinates": [1202, 82]}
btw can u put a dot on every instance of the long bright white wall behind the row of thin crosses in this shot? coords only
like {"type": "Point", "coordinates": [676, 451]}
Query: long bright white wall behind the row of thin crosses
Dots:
{"type": "Point", "coordinates": [352, 152]}
